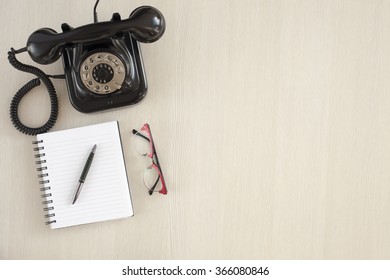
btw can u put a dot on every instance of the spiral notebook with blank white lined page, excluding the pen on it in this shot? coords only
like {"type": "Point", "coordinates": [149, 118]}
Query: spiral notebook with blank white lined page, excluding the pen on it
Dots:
{"type": "Point", "coordinates": [61, 156]}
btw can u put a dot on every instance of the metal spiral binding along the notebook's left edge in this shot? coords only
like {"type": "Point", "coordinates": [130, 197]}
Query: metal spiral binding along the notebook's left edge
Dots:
{"type": "Point", "coordinates": [46, 195]}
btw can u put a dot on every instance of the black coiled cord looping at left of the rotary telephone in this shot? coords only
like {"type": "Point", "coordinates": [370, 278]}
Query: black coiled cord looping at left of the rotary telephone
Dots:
{"type": "Point", "coordinates": [42, 77]}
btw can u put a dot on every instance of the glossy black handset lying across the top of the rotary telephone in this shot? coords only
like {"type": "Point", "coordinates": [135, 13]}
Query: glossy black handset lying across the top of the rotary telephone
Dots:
{"type": "Point", "coordinates": [146, 24]}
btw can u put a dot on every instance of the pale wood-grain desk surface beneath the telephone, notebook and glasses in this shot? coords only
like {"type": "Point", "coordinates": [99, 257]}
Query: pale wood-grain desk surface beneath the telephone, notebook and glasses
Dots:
{"type": "Point", "coordinates": [272, 123]}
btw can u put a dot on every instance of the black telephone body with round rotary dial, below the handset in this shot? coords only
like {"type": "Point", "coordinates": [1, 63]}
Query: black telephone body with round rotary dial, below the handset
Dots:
{"type": "Point", "coordinates": [86, 77]}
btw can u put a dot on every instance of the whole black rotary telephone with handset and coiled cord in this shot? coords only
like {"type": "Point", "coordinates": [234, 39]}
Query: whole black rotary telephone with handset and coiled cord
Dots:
{"type": "Point", "coordinates": [102, 62]}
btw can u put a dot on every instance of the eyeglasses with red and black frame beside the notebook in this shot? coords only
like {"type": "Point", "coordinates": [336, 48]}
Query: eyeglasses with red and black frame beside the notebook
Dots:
{"type": "Point", "coordinates": [144, 145]}
